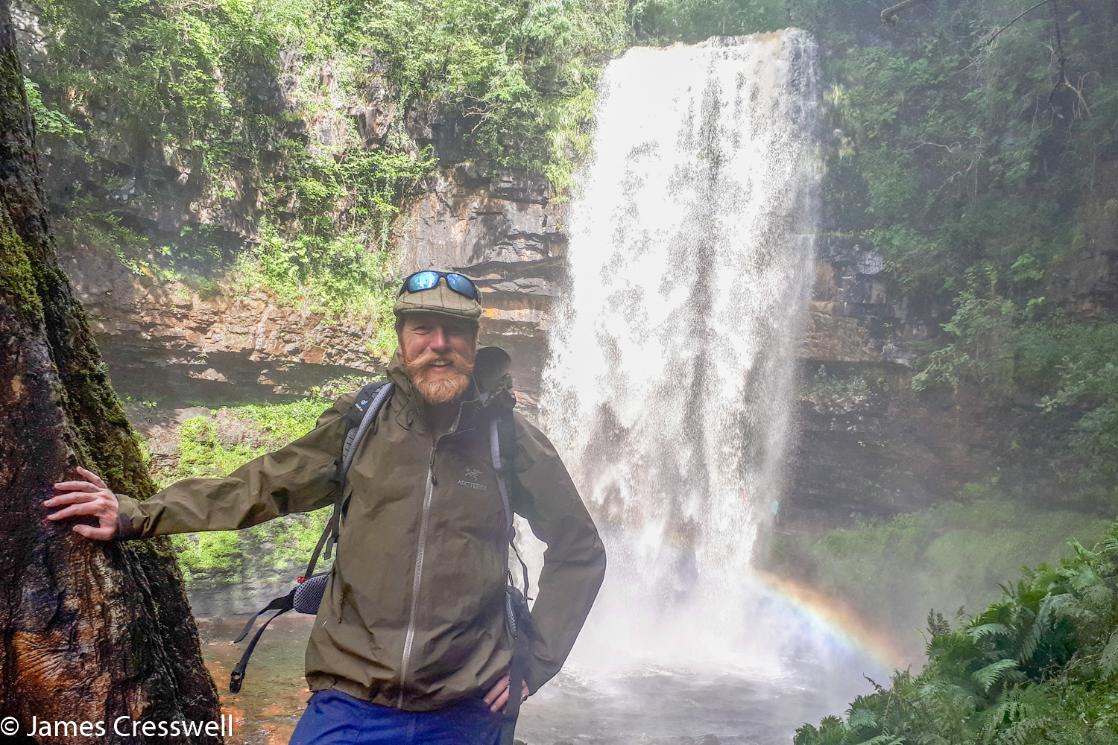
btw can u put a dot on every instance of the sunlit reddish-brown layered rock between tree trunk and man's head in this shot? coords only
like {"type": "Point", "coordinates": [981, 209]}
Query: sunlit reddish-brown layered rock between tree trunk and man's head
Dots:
{"type": "Point", "coordinates": [210, 347]}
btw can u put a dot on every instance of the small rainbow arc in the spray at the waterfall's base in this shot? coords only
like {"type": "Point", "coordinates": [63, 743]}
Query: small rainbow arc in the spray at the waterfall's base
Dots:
{"type": "Point", "coordinates": [837, 619]}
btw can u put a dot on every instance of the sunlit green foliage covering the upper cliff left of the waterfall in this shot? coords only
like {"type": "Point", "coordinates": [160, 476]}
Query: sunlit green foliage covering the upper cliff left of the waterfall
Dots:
{"type": "Point", "coordinates": [203, 89]}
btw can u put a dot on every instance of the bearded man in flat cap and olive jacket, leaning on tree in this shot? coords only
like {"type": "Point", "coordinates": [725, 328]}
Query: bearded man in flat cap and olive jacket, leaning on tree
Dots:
{"type": "Point", "coordinates": [410, 643]}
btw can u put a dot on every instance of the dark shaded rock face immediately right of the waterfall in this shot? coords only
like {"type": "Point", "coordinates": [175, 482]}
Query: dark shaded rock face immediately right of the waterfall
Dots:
{"type": "Point", "coordinates": [867, 446]}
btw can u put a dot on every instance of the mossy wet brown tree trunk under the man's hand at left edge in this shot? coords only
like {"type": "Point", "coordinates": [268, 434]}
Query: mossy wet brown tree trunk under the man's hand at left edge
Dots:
{"type": "Point", "coordinates": [91, 631]}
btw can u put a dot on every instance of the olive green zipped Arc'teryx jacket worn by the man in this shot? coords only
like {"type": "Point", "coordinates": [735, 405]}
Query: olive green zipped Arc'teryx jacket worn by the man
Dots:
{"type": "Point", "coordinates": [414, 614]}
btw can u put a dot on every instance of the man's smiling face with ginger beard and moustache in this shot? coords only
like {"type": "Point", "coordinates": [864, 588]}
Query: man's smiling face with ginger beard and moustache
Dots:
{"type": "Point", "coordinates": [439, 355]}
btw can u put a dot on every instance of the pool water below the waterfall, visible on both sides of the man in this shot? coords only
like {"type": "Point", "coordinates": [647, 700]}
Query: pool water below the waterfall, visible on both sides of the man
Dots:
{"type": "Point", "coordinates": [647, 706]}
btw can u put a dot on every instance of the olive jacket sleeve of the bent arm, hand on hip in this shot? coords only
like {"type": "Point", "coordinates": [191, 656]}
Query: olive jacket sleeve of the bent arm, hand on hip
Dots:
{"type": "Point", "coordinates": [575, 560]}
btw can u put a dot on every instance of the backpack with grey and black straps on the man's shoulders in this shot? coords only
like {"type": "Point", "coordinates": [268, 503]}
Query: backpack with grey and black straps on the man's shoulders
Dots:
{"type": "Point", "coordinates": [307, 597]}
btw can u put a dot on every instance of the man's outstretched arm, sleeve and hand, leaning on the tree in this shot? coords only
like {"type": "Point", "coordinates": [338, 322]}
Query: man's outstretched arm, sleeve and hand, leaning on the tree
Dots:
{"type": "Point", "coordinates": [298, 478]}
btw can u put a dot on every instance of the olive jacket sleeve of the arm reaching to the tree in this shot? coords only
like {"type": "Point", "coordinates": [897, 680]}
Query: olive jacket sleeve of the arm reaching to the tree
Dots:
{"type": "Point", "coordinates": [298, 478]}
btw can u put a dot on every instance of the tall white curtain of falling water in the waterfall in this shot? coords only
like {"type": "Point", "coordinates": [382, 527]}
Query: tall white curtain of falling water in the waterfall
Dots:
{"type": "Point", "coordinates": [670, 386]}
